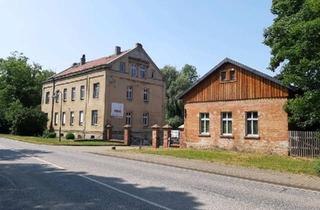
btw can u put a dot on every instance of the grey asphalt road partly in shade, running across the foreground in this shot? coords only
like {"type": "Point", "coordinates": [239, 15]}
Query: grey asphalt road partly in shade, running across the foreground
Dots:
{"type": "Point", "coordinates": [54, 177]}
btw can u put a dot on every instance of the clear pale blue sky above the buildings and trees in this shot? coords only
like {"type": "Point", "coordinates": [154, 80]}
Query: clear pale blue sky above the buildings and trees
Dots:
{"type": "Point", "coordinates": [201, 33]}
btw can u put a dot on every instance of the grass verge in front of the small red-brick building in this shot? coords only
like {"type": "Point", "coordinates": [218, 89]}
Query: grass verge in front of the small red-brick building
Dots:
{"type": "Point", "coordinates": [262, 161]}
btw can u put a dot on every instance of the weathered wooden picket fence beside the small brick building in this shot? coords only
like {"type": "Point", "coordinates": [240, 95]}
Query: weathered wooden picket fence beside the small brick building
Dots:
{"type": "Point", "coordinates": [304, 143]}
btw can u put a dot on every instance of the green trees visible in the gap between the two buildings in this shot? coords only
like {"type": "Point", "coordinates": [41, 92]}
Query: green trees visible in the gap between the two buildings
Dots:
{"type": "Point", "coordinates": [176, 83]}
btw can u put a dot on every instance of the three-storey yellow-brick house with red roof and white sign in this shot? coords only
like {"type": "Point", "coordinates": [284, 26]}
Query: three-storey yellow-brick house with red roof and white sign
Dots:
{"type": "Point", "coordinates": [124, 88]}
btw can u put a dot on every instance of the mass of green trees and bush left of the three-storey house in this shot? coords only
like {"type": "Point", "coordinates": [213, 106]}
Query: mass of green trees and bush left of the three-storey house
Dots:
{"type": "Point", "coordinates": [20, 95]}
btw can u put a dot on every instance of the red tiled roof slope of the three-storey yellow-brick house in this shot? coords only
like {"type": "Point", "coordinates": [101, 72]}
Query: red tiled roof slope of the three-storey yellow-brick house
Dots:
{"type": "Point", "coordinates": [90, 64]}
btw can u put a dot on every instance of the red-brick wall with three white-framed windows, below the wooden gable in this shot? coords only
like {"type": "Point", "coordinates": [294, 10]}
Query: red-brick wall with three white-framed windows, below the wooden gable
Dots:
{"type": "Point", "coordinates": [273, 125]}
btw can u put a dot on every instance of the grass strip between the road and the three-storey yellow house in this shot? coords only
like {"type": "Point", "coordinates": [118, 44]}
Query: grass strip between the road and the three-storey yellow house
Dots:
{"type": "Point", "coordinates": [55, 141]}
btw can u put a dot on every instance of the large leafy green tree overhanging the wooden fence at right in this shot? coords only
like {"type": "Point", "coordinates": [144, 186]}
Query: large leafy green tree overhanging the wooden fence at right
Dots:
{"type": "Point", "coordinates": [294, 39]}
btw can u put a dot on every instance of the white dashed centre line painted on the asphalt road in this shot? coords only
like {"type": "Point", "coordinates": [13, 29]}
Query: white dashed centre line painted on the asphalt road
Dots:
{"type": "Point", "coordinates": [103, 184]}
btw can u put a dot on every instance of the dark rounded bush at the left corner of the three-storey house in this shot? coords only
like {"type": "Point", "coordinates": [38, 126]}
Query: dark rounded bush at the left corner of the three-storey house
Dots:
{"type": "Point", "coordinates": [29, 121]}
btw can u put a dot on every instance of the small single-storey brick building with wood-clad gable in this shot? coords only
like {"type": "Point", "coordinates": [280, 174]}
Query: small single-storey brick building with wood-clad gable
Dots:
{"type": "Point", "coordinates": [236, 107]}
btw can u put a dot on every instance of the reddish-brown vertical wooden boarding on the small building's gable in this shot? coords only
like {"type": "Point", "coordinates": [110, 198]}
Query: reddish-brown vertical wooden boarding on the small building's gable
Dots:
{"type": "Point", "coordinates": [246, 85]}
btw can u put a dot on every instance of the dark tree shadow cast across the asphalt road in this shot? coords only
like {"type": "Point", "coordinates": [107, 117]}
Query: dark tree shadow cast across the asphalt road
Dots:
{"type": "Point", "coordinates": [30, 186]}
